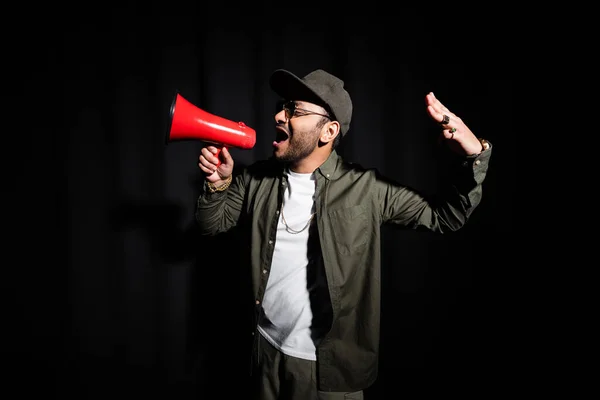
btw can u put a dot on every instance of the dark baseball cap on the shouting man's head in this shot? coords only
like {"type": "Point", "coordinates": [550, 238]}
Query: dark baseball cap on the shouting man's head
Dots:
{"type": "Point", "coordinates": [319, 87]}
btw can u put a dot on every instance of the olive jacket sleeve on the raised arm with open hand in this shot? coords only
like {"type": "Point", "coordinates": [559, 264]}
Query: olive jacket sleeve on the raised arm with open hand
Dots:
{"type": "Point", "coordinates": [450, 208]}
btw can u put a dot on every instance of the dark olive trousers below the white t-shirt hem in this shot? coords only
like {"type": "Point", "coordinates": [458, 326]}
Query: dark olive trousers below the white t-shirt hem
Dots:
{"type": "Point", "coordinates": [281, 377]}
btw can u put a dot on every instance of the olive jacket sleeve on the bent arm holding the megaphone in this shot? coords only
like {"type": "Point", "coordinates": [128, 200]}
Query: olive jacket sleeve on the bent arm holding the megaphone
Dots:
{"type": "Point", "coordinates": [219, 212]}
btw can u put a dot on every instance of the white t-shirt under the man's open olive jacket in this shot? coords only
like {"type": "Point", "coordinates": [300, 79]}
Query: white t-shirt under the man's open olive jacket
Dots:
{"type": "Point", "coordinates": [286, 316]}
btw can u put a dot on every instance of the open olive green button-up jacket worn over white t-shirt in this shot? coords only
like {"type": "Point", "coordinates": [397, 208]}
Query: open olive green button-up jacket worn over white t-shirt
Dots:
{"type": "Point", "coordinates": [351, 205]}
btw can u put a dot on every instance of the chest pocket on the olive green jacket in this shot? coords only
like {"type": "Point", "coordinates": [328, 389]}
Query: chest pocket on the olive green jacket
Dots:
{"type": "Point", "coordinates": [349, 226]}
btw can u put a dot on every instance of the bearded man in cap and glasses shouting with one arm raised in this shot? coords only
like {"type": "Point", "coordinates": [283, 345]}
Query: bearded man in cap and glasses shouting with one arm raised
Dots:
{"type": "Point", "coordinates": [313, 236]}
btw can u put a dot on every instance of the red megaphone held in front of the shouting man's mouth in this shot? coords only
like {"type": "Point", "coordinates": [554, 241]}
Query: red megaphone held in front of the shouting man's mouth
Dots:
{"type": "Point", "coordinates": [188, 122]}
